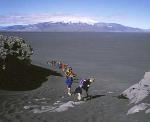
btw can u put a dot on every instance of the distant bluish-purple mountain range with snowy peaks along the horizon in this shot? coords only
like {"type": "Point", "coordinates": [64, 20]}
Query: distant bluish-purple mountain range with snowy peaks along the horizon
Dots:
{"type": "Point", "coordinates": [73, 27]}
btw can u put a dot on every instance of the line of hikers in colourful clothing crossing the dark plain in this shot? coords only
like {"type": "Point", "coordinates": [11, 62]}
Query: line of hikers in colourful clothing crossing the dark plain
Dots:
{"type": "Point", "coordinates": [70, 76]}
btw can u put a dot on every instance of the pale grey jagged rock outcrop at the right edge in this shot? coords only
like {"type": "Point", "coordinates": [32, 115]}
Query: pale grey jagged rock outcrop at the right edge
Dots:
{"type": "Point", "coordinates": [137, 93]}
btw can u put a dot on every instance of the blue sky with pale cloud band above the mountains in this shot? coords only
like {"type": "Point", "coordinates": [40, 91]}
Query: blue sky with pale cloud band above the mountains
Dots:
{"type": "Point", "coordinates": [133, 13]}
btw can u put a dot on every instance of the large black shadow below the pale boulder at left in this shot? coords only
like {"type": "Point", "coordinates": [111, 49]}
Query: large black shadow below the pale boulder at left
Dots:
{"type": "Point", "coordinates": [20, 76]}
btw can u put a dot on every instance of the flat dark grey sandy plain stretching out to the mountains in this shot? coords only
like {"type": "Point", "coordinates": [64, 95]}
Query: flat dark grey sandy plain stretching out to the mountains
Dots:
{"type": "Point", "coordinates": [117, 60]}
